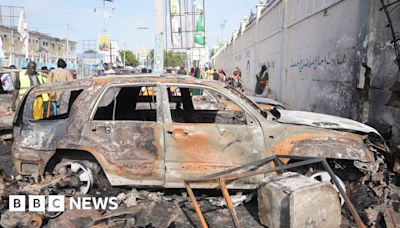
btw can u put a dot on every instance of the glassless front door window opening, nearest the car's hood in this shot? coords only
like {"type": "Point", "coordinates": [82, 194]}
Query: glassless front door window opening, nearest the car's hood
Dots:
{"type": "Point", "coordinates": [198, 105]}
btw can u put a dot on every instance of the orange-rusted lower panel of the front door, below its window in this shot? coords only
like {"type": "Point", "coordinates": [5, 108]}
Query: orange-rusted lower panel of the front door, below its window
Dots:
{"type": "Point", "coordinates": [201, 149]}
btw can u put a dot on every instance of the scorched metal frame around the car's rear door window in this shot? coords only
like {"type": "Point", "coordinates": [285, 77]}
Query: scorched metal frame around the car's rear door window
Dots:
{"type": "Point", "coordinates": [159, 110]}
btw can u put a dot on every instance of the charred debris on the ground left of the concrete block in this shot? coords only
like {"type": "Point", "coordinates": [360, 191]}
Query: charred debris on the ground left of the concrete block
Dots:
{"type": "Point", "coordinates": [136, 208]}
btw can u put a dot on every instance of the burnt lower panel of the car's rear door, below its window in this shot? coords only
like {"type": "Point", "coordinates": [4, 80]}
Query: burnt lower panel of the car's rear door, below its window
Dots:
{"type": "Point", "coordinates": [135, 149]}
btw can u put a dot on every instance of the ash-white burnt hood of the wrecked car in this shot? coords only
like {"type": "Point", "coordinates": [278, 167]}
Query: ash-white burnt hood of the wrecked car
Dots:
{"type": "Point", "coordinates": [323, 121]}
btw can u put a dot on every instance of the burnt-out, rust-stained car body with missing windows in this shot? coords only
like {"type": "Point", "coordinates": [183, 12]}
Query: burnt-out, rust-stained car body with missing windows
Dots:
{"type": "Point", "coordinates": [157, 131]}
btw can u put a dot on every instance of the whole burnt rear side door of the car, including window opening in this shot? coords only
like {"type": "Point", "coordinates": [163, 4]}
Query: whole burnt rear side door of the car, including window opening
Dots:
{"type": "Point", "coordinates": [126, 130]}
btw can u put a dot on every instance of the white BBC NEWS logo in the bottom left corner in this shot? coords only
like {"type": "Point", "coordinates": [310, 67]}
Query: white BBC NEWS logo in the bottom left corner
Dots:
{"type": "Point", "coordinates": [56, 203]}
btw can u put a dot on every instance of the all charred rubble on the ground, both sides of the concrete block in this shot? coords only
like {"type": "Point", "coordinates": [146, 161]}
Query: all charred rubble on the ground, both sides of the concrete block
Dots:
{"type": "Point", "coordinates": [375, 195]}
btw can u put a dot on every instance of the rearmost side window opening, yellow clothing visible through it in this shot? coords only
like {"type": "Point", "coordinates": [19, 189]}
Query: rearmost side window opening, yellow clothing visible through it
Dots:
{"type": "Point", "coordinates": [58, 108]}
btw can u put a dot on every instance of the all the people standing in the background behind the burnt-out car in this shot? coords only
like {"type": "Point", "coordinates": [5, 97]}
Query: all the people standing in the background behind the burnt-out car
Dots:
{"type": "Point", "coordinates": [19, 82]}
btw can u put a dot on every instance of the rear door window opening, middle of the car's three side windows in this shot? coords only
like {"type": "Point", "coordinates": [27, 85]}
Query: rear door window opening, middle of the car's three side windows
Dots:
{"type": "Point", "coordinates": [128, 103]}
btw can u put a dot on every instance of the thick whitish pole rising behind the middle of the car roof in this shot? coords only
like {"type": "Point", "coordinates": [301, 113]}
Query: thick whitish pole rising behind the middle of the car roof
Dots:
{"type": "Point", "coordinates": [159, 37]}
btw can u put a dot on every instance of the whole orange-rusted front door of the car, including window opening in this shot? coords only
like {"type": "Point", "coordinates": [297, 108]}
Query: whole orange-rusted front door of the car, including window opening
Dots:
{"type": "Point", "coordinates": [207, 132]}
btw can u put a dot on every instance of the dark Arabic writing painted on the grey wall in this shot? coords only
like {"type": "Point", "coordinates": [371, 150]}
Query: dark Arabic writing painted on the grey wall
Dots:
{"type": "Point", "coordinates": [313, 63]}
